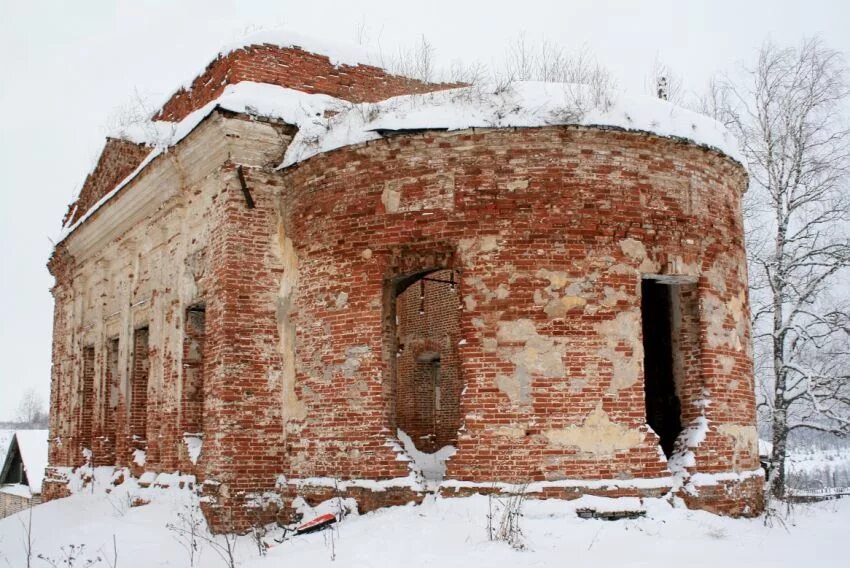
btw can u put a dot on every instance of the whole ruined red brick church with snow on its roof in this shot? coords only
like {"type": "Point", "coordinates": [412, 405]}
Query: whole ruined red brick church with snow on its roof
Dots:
{"type": "Point", "coordinates": [281, 308]}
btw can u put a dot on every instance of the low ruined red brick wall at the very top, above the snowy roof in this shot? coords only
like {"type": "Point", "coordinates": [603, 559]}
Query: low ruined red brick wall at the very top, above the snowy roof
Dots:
{"type": "Point", "coordinates": [293, 68]}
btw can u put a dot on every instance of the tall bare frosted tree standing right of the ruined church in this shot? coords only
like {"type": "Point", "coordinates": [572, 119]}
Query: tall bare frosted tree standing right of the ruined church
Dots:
{"type": "Point", "coordinates": [791, 118]}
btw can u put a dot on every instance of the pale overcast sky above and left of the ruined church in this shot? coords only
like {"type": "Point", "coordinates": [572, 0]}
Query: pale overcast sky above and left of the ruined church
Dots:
{"type": "Point", "coordinates": [65, 67]}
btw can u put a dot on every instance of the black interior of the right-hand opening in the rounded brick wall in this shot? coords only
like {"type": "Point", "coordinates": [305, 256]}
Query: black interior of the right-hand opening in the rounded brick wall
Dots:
{"type": "Point", "coordinates": [663, 408]}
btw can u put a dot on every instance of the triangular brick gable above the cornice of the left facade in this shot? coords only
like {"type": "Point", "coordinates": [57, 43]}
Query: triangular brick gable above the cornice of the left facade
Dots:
{"type": "Point", "coordinates": [117, 160]}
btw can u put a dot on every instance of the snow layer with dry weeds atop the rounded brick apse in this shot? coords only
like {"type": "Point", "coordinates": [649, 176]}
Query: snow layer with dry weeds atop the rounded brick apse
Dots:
{"type": "Point", "coordinates": [522, 104]}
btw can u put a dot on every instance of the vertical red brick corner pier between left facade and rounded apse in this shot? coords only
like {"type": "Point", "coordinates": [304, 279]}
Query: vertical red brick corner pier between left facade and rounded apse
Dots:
{"type": "Point", "coordinates": [244, 441]}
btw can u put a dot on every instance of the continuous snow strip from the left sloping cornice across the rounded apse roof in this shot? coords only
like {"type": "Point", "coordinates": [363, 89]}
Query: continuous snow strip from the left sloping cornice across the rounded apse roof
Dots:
{"type": "Point", "coordinates": [522, 104]}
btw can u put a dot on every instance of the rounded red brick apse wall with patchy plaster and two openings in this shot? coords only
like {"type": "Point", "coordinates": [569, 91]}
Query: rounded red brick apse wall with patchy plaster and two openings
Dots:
{"type": "Point", "coordinates": [552, 229]}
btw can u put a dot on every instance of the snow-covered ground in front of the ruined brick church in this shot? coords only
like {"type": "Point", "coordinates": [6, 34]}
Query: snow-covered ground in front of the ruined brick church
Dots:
{"type": "Point", "coordinates": [440, 532]}
